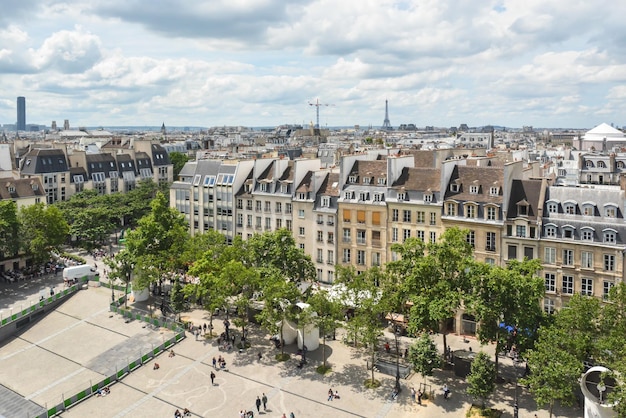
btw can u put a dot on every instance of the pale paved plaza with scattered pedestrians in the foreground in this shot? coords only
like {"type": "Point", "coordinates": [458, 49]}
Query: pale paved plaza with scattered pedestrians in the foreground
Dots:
{"type": "Point", "coordinates": [81, 342]}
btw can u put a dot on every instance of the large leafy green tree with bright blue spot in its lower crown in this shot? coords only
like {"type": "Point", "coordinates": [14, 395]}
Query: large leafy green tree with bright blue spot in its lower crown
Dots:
{"type": "Point", "coordinates": [506, 295]}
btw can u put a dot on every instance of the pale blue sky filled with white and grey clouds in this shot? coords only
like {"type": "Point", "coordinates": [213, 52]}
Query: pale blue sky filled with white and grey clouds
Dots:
{"type": "Point", "coordinates": [546, 63]}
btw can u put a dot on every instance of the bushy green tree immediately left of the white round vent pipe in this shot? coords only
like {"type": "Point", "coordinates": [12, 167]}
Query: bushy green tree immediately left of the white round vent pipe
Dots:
{"type": "Point", "coordinates": [554, 370]}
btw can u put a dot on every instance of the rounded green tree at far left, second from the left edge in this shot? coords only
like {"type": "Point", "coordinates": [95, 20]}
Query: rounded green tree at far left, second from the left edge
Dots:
{"type": "Point", "coordinates": [43, 230]}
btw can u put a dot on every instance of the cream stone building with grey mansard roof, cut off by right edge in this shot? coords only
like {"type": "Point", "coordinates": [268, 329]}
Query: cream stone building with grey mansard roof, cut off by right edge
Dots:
{"type": "Point", "coordinates": [583, 239]}
